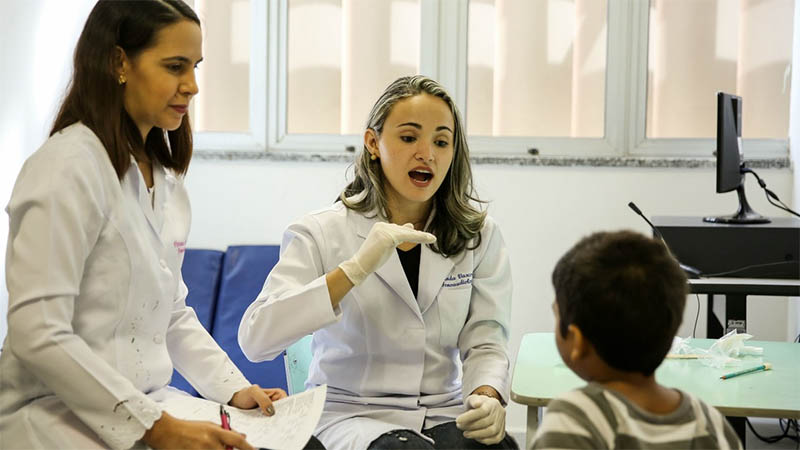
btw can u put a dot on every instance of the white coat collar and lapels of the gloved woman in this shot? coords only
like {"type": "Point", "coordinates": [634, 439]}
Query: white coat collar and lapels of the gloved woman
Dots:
{"type": "Point", "coordinates": [433, 268]}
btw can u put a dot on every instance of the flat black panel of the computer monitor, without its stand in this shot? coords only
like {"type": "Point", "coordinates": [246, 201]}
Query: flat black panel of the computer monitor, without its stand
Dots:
{"type": "Point", "coordinates": [729, 141]}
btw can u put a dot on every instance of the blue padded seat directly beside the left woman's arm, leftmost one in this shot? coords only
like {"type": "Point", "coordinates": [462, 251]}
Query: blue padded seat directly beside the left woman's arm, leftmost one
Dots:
{"type": "Point", "coordinates": [201, 273]}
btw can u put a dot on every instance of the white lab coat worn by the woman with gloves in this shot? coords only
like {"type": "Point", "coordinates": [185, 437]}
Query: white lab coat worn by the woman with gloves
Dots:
{"type": "Point", "coordinates": [390, 360]}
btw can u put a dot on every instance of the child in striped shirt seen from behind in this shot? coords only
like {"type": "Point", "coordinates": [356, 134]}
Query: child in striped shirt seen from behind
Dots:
{"type": "Point", "coordinates": [619, 301]}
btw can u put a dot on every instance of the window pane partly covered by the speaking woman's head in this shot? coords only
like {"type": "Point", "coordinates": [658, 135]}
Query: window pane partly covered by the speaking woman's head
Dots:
{"type": "Point", "coordinates": [341, 55]}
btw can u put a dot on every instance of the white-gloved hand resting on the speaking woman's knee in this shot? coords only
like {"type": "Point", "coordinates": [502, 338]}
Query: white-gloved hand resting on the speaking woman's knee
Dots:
{"type": "Point", "coordinates": [484, 421]}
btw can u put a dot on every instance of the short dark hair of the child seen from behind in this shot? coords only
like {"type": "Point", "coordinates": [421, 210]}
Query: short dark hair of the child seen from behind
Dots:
{"type": "Point", "coordinates": [626, 293]}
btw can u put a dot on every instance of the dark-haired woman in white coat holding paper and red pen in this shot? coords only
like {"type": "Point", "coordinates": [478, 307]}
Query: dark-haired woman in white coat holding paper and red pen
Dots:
{"type": "Point", "coordinates": [98, 223]}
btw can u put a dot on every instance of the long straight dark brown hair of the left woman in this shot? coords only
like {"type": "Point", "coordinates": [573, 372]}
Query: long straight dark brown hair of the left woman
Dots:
{"type": "Point", "coordinates": [94, 96]}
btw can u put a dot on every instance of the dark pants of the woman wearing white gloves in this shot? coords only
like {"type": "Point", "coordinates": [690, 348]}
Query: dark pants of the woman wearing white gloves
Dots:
{"type": "Point", "coordinates": [445, 436]}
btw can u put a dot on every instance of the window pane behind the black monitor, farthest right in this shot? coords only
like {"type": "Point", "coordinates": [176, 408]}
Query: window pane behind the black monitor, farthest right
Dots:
{"type": "Point", "coordinates": [700, 47]}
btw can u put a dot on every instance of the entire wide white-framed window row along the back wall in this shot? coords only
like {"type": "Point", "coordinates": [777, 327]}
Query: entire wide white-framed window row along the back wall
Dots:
{"type": "Point", "coordinates": [567, 77]}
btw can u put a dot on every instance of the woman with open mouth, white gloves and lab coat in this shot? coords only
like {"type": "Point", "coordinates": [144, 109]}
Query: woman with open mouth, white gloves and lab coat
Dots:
{"type": "Point", "coordinates": [406, 287]}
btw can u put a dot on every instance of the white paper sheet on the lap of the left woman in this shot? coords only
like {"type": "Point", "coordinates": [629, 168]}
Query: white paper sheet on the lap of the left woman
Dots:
{"type": "Point", "coordinates": [290, 428]}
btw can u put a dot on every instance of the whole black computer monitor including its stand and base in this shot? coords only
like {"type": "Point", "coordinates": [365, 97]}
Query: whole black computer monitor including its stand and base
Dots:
{"type": "Point", "coordinates": [729, 159]}
